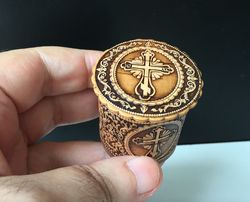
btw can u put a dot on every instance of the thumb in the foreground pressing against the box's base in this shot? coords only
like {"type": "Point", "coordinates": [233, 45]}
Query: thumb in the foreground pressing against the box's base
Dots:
{"type": "Point", "coordinates": [119, 179]}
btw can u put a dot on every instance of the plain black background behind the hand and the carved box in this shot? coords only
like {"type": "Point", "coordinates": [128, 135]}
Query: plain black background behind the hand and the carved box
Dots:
{"type": "Point", "coordinates": [216, 34]}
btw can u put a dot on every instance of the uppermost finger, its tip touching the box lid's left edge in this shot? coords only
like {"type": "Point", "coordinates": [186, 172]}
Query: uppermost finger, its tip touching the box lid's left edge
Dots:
{"type": "Point", "coordinates": [27, 75]}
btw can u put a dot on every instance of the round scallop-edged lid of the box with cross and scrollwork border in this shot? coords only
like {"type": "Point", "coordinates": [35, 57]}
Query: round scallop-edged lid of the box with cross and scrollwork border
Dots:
{"type": "Point", "coordinates": [147, 80]}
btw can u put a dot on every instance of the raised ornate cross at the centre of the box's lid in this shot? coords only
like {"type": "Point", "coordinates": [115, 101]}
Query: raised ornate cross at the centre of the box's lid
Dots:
{"type": "Point", "coordinates": [146, 68]}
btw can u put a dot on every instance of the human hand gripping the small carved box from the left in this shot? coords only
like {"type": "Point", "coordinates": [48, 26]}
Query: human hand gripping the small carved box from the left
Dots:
{"type": "Point", "coordinates": [41, 88]}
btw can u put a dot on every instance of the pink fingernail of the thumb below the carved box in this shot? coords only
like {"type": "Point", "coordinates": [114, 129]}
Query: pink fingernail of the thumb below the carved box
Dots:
{"type": "Point", "coordinates": [147, 173]}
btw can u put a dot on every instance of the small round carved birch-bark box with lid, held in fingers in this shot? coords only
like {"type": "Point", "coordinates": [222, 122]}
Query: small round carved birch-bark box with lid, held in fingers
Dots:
{"type": "Point", "coordinates": [145, 89]}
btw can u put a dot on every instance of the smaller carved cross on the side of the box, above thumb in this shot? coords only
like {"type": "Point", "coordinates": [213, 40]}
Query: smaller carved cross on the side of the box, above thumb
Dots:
{"type": "Point", "coordinates": [155, 140]}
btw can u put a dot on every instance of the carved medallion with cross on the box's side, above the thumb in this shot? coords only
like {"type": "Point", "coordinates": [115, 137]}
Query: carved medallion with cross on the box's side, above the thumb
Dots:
{"type": "Point", "coordinates": [156, 141]}
